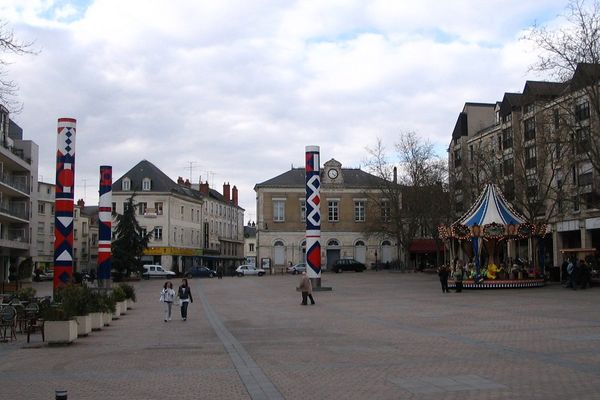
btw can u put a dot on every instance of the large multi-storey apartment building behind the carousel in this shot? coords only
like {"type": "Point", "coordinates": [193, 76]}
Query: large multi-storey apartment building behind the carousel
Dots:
{"type": "Point", "coordinates": [534, 148]}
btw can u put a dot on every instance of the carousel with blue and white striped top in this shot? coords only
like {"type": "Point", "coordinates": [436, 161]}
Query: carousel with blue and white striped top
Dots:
{"type": "Point", "coordinates": [485, 232]}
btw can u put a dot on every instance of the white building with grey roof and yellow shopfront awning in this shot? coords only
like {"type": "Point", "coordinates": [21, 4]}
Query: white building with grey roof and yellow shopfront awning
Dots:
{"type": "Point", "coordinates": [190, 225]}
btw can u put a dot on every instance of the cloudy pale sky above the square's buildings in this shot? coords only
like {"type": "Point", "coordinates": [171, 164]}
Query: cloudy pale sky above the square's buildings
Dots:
{"type": "Point", "coordinates": [237, 89]}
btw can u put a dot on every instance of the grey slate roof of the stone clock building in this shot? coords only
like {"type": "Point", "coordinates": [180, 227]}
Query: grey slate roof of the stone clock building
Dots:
{"type": "Point", "coordinates": [295, 178]}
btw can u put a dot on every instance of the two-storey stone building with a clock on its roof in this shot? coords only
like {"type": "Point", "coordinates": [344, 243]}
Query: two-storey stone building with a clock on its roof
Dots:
{"type": "Point", "coordinates": [350, 198]}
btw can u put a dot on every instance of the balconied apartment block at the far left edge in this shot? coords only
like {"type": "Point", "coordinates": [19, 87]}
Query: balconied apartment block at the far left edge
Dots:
{"type": "Point", "coordinates": [18, 199]}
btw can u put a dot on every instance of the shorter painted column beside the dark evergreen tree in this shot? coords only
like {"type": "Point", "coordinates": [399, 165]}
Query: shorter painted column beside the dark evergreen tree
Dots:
{"type": "Point", "coordinates": [104, 226]}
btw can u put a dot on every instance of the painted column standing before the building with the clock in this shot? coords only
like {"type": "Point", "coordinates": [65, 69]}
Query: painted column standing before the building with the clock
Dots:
{"type": "Point", "coordinates": [313, 214]}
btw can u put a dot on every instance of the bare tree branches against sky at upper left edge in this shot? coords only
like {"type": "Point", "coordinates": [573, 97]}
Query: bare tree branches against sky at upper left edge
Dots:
{"type": "Point", "coordinates": [10, 44]}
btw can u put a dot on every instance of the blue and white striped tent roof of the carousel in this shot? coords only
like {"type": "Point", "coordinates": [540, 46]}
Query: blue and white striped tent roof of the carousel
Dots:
{"type": "Point", "coordinates": [491, 207]}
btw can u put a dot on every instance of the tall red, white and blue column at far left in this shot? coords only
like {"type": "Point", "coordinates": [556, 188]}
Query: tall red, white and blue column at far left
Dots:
{"type": "Point", "coordinates": [63, 202]}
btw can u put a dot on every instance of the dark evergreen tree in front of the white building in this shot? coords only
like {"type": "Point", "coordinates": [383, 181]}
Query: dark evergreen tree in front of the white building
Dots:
{"type": "Point", "coordinates": [129, 241]}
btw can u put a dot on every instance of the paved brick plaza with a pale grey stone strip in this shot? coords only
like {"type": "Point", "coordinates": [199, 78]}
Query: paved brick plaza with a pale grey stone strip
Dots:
{"type": "Point", "coordinates": [377, 335]}
